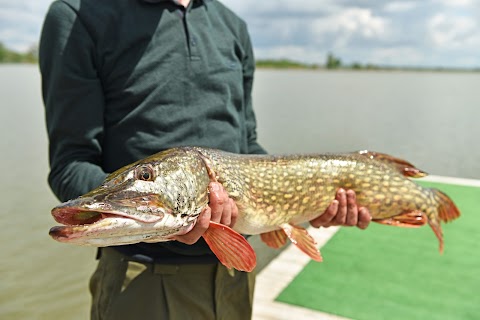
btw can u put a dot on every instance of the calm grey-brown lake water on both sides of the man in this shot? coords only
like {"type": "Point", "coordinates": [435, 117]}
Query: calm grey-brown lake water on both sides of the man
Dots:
{"type": "Point", "coordinates": [428, 118]}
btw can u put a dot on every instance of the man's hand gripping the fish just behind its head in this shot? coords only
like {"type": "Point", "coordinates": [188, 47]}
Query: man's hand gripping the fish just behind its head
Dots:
{"type": "Point", "coordinates": [221, 209]}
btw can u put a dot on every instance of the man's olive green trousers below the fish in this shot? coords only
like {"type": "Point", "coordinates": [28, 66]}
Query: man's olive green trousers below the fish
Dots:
{"type": "Point", "coordinates": [126, 290]}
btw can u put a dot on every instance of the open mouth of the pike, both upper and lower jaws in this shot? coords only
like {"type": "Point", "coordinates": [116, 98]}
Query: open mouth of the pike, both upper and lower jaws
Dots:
{"type": "Point", "coordinates": [100, 225]}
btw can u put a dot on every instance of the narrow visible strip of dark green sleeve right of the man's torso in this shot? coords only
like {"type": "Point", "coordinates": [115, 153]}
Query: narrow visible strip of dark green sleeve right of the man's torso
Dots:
{"type": "Point", "coordinates": [250, 120]}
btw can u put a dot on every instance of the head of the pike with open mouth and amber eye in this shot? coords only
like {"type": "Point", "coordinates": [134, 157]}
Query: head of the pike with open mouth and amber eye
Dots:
{"type": "Point", "coordinates": [151, 200]}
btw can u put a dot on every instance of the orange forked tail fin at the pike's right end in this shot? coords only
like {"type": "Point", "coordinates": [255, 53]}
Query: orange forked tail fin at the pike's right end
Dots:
{"type": "Point", "coordinates": [446, 212]}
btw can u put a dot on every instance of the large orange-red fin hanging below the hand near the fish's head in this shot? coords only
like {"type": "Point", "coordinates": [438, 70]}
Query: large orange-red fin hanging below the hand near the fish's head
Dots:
{"type": "Point", "coordinates": [230, 247]}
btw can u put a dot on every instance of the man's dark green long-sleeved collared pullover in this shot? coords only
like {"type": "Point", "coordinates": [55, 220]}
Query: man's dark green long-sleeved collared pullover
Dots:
{"type": "Point", "coordinates": [123, 79]}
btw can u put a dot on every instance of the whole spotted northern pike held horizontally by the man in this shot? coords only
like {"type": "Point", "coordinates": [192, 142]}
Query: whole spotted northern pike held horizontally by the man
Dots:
{"type": "Point", "coordinates": [161, 196]}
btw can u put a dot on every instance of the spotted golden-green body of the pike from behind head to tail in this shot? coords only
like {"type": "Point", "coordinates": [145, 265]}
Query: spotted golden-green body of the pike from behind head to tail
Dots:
{"type": "Point", "coordinates": [271, 190]}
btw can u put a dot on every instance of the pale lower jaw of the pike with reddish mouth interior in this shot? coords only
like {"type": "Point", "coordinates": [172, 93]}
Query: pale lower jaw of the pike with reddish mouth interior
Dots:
{"type": "Point", "coordinates": [103, 229]}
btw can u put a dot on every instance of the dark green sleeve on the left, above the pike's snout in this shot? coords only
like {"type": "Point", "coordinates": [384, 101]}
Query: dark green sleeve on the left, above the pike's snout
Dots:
{"type": "Point", "coordinates": [74, 103]}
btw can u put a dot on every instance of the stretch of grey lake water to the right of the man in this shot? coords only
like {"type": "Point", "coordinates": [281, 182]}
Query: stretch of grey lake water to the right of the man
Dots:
{"type": "Point", "coordinates": [429, 118]}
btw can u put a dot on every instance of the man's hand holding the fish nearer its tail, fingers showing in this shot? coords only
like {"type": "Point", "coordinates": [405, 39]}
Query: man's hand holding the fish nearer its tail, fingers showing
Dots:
{"type": "Point", "coordinates": [343, 211]}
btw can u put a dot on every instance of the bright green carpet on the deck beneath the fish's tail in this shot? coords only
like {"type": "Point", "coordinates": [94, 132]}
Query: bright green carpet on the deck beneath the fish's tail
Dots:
{"type": "Point", "coordinates": [388, 272]}
